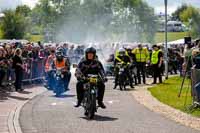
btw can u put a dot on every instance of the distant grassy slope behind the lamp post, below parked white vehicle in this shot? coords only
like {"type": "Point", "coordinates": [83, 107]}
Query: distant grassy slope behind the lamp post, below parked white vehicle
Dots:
{"type": "Point", "coordinates": [172, 36]}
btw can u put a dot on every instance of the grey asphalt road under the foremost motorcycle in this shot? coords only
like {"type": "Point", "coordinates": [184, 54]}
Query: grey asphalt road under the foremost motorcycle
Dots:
{"type": "Point", "coordinates": [47, 114]}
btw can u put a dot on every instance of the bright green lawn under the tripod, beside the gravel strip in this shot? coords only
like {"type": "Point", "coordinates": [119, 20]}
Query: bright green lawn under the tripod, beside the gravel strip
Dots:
{"type": "Point", "coordinates": [167, 93]}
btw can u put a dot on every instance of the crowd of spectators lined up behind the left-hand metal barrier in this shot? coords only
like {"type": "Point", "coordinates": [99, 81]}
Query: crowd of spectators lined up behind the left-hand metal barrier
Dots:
{"type": "Point", "coordinates": [25, 62]}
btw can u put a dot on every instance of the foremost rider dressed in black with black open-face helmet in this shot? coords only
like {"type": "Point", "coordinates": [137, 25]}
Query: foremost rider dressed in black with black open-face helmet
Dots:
{"type": "Point", "coordinates": [90, 65]}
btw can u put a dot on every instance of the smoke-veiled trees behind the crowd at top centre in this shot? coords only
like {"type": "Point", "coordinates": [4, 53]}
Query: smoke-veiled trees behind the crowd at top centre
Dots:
{"type": "Point", "coordinates": [80, 20]}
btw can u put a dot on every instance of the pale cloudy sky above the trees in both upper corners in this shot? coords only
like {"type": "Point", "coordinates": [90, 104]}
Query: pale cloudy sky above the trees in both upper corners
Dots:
{"type": "Point", "coordinates": [157, 4]}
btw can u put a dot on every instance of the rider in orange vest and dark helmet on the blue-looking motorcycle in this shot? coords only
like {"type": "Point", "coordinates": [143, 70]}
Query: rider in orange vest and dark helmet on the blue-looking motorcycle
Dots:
{"type": "Point", "coordinates": [62, 63]}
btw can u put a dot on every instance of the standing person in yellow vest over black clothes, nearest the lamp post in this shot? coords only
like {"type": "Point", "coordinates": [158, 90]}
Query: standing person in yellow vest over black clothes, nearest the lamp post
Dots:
{"type": "Point", "coordinates": [156, 62]}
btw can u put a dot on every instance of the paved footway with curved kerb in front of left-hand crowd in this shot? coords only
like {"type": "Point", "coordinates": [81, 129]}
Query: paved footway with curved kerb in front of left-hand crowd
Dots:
{"type": "Point", "coordinates": [10, 105]}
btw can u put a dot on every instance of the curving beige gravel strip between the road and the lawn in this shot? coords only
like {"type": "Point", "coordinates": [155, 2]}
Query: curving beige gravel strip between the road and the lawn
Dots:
{"type": "Point", "coordinates": [144, 97]}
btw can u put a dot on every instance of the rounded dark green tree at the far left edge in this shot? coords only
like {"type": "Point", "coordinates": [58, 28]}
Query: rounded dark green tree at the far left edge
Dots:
{"type": "Point", "coordinates": [13, 25]}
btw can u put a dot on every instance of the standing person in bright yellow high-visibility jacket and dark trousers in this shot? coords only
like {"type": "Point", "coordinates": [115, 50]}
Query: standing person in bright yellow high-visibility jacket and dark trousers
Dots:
{"type": "Point", "coordinates": [142, 57]}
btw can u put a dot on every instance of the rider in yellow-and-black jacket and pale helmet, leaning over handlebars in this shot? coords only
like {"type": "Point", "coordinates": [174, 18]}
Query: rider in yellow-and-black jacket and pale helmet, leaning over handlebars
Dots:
{"type": "Point", "coordinates": [122, 58]}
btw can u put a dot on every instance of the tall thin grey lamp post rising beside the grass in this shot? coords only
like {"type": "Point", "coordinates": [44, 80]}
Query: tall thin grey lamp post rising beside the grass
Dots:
{"type": "Point", "coordinates": [166, 49]}
